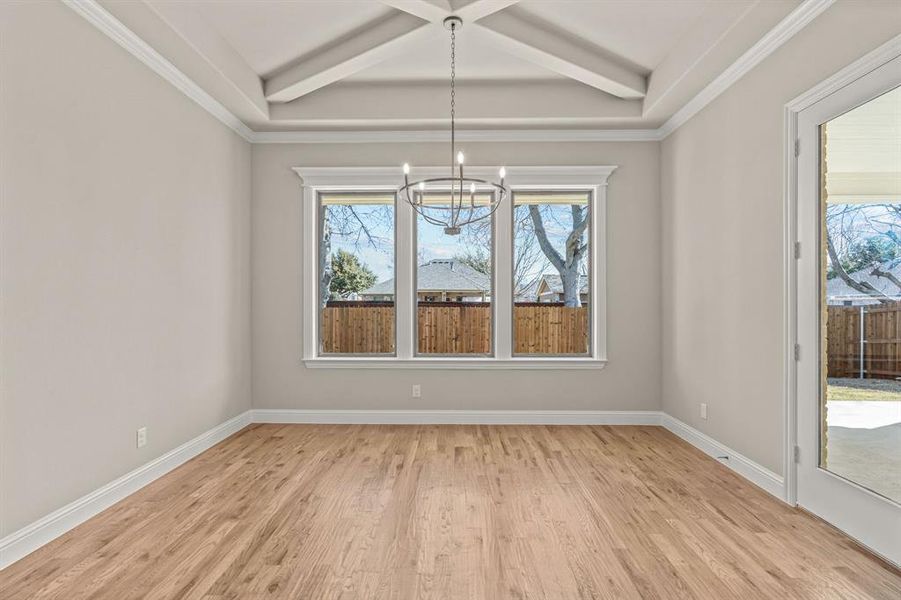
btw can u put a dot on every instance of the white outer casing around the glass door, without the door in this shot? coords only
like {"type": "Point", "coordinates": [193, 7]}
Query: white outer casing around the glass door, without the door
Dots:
{"type": "Point", "coordinates": [792, 251]}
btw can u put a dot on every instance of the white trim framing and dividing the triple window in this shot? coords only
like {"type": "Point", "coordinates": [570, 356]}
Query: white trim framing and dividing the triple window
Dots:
{"type": "Point", "coordinates": [346, 179]}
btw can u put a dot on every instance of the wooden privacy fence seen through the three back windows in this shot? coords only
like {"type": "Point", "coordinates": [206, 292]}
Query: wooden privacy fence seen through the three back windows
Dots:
{"type": "Point", "coordinates": [366, 327]}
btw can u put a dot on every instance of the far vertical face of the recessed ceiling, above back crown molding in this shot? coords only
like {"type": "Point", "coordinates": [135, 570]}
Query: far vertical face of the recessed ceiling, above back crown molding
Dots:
{"type": "Point", "coordinates": [426, 104]}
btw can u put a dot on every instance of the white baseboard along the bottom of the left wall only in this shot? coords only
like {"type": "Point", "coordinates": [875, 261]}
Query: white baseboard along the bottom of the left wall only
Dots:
{"type": "Point", "coordinates": [31, 537]}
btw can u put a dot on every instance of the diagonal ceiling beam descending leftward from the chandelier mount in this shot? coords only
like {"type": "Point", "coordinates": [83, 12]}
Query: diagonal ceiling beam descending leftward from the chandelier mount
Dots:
{"type": "Point", "coordinates": [365, 48]}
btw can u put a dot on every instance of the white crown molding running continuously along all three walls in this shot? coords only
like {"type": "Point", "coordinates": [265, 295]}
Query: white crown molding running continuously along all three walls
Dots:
{"type": "Point", "coordinates": [91, 11]}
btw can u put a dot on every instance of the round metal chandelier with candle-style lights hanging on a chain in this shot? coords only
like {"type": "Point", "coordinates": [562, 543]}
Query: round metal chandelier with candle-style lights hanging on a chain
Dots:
{"type": "Point", "coordinates": [455, 211]}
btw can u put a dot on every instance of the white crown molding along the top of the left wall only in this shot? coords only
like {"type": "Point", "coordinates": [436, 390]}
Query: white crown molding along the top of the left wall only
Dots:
{"type": "Point", "coordinates": [100, 18]}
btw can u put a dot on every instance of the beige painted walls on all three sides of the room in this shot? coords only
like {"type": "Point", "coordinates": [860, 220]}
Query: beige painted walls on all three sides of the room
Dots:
{"type": "Point", "coordinates": [132, 267]}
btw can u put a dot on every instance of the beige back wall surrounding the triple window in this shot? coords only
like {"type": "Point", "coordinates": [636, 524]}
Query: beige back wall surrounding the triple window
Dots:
{"type": "Point", "coordinates": [631, 380]}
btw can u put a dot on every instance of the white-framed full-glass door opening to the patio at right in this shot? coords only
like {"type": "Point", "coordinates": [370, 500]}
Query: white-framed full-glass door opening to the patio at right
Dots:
{"type": "Point", "coordinates": [849, 310]}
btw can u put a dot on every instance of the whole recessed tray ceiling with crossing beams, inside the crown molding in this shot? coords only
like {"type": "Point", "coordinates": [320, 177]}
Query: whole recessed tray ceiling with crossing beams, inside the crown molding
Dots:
{"type": "Point", "coordinates": [372, 65]}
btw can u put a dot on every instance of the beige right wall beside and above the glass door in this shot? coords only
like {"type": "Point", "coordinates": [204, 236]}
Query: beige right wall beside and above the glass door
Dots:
{"type": "Point", "coordinates": [722, 178]}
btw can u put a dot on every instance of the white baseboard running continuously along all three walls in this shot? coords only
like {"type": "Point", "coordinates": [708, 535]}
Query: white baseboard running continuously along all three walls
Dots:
{"type": "Point", "coordinates": [33, 536]}
